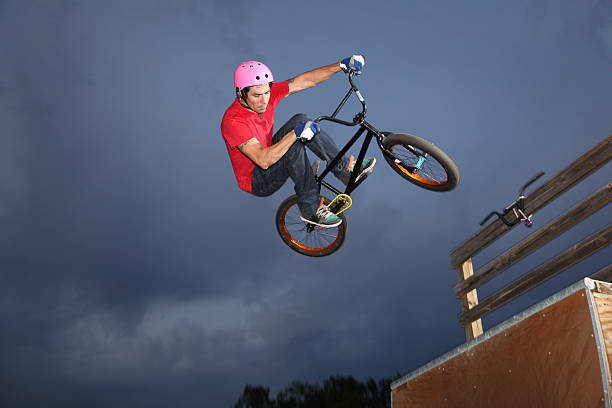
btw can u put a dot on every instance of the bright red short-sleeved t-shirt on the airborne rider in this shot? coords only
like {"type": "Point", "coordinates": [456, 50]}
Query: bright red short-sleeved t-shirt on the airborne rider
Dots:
{"type": "Point", "coordinates": [239, 125]}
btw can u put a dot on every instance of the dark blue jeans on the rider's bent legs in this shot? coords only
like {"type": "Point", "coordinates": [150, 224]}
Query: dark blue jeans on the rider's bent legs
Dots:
{"type": "Point", "coordinates": [295, 165]}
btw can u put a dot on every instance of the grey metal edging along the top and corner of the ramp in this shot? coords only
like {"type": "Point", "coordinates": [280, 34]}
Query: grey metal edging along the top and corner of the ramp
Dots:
{"type": "Point", "coordinates": [583, 284]}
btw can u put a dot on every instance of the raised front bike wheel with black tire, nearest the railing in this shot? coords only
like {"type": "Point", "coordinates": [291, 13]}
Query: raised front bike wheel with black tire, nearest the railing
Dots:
{"type": "Point", "coordinates": [439, 172]}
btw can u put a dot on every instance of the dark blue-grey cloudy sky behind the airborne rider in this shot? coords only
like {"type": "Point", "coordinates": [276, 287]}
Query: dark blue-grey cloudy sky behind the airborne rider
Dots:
{"type": "Point", "coordinates": [134, 272]}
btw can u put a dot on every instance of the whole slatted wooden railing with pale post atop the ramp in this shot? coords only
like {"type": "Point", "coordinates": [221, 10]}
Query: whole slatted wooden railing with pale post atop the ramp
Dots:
{"type": "Point", "coordinates": [461, 257]}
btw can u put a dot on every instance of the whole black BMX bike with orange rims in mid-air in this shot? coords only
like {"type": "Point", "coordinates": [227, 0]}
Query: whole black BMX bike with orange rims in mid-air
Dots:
{"type": "Point", "coordinates": [415, 159]}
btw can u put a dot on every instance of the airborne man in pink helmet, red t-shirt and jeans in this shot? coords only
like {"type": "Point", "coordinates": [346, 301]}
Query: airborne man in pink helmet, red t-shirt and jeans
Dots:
{"type": "Point", "coordinates": [263, 162]}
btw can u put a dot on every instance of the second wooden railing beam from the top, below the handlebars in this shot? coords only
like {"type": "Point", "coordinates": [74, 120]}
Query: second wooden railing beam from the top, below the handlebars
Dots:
{"type": "Point", "coordinates": [536, 240]}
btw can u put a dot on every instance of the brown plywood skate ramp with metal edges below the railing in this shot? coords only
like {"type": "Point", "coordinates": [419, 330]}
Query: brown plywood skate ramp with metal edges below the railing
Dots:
{"type": "Point", "coordinates": [554, 354]}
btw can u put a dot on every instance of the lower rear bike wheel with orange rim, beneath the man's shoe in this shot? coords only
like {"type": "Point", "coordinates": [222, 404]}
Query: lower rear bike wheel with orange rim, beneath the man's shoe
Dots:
{"type": "Point", "coordinates": [293, 231]}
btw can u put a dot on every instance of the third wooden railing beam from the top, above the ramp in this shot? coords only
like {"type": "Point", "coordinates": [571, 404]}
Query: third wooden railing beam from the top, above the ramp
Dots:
{"type": "Point", "coordinates": [540, 274]}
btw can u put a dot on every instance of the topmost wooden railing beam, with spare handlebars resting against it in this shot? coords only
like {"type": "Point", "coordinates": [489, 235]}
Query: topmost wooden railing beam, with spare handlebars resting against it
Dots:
{"type": "Point", "coordinates": [572, 174]}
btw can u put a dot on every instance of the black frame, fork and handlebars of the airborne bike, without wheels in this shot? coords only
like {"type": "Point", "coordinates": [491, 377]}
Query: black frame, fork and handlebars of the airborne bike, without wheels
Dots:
{"type": "Point", "coordinates": [364, 126]}
